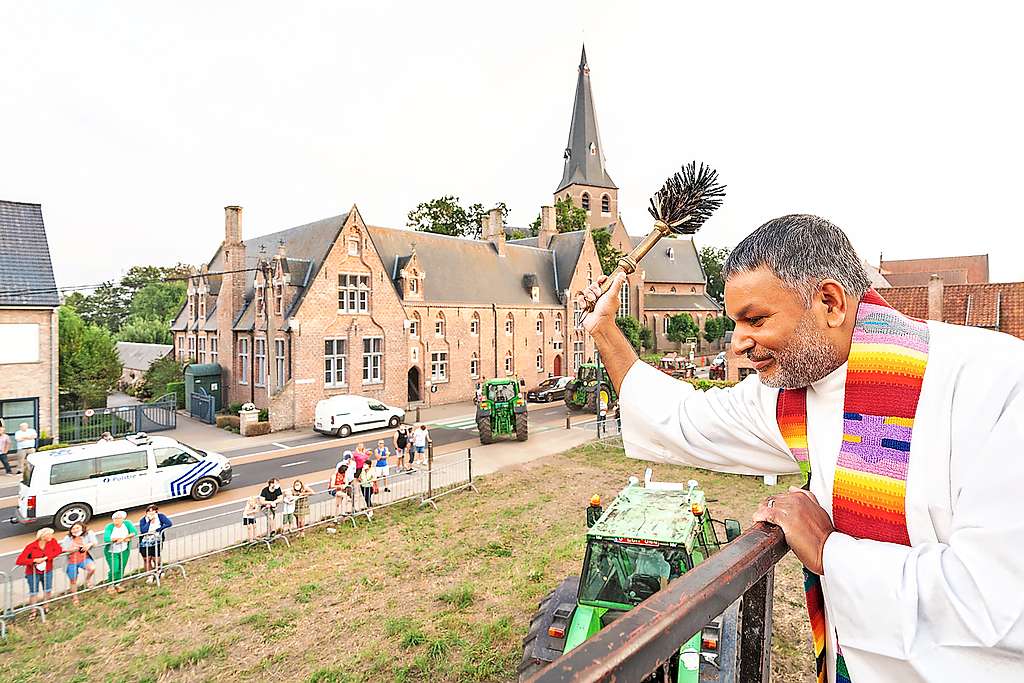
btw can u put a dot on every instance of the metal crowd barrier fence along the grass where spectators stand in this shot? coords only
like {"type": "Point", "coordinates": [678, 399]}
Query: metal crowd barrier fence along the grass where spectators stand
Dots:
{"type": "Point", "coordinates": [185, 542]}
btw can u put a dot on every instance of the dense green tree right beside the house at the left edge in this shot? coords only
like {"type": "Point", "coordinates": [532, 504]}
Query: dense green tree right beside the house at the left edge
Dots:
{"type": "Point", "coordinates": [90, 367]}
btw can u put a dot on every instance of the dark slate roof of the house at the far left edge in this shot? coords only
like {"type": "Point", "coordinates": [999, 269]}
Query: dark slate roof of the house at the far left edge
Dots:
{"type": "Point", "coordinates": [26, 271]}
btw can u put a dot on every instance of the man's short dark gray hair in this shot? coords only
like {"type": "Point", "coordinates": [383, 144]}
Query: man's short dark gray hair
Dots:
{"type": "Point", "coordinates": [802, 251]}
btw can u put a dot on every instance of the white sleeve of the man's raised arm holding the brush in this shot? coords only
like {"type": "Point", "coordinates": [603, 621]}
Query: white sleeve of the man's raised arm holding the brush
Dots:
{"type": "Point", "coordinates": [728, 431]}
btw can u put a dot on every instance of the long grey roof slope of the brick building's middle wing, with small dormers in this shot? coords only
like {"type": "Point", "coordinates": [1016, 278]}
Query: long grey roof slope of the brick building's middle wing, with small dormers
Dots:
{"type": "Point", "coordinates": [463, 271]}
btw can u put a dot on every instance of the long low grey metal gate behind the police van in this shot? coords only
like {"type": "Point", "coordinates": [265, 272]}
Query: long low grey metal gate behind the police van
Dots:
{"type": "Point", "coordinates": [79, 426]}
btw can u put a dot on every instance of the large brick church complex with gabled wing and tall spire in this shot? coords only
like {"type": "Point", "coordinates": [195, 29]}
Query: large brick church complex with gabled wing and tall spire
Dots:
{"type": "Point", "coordinates": [417, 319]}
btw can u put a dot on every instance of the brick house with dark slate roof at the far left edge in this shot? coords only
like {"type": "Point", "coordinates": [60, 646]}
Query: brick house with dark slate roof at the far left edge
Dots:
{"type": "Point", "coordinates": [29, 340]}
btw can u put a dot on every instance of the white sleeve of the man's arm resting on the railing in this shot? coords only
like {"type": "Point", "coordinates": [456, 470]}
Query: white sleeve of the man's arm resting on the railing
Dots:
{"type": "Point", "coordinates": [902, 602]}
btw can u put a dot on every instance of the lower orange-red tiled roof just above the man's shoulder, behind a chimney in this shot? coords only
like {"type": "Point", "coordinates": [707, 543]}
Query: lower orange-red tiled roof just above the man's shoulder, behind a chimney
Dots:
{"type": "Point", "coordinates": [994, 306]}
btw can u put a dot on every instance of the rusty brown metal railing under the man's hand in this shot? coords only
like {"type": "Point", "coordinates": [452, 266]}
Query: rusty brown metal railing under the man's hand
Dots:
{"type": "Point", "coordinates": [636, 645]}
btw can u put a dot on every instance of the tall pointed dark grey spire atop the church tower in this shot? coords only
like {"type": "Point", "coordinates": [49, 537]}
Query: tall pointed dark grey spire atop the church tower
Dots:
{"type": "Point", "coordinates": [584, 155]}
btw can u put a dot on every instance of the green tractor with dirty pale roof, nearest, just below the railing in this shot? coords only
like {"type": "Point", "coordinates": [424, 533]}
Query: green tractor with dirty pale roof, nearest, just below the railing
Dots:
{"type": "Point", "coordinates": [650, 536]}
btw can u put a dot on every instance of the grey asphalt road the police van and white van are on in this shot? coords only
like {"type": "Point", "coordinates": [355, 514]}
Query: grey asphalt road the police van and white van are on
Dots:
{"type": "Point", "coordinates": [253, 466]}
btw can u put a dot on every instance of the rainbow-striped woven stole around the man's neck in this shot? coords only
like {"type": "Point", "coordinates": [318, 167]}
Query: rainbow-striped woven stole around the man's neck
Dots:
{"type": "Point", "coordinates": [885, 373]}
